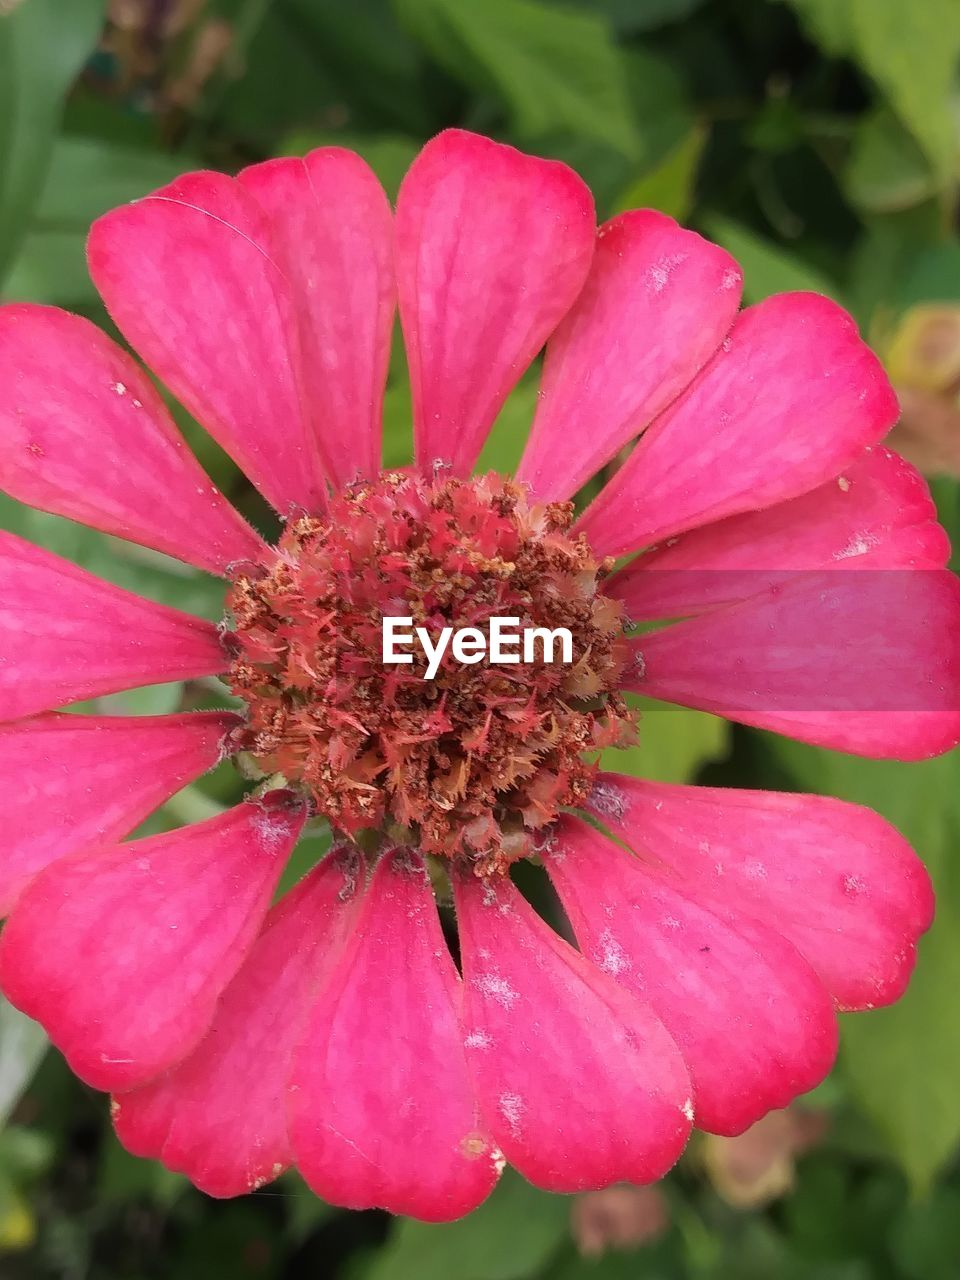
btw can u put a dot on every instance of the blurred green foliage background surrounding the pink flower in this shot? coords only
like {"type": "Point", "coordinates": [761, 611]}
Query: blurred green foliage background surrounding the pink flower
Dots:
{"type": "Point", "coordinates": [820, 141]}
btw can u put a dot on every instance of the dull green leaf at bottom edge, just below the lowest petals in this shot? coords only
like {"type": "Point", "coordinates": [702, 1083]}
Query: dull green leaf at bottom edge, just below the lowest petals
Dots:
{"type": "Point", "coordinates": [510, 1237]}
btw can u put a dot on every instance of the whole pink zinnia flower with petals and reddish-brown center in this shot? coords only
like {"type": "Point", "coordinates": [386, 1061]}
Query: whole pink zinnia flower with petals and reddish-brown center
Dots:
{"type": "Point", "coordinates": [333, 1031]}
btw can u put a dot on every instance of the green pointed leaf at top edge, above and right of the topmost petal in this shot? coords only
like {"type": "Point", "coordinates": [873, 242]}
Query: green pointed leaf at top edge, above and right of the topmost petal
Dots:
{"type": "Point", "coordinates": [554, 68]}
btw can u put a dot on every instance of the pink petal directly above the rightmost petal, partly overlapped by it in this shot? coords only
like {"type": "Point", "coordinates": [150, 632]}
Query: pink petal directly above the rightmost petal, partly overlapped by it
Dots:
{"type": "Point", "coordinates": [877, 515]}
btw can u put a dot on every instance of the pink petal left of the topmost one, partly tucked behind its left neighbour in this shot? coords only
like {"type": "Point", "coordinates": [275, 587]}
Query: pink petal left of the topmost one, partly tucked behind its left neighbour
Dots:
{"type": "Point", "coordinates": [335, 225]}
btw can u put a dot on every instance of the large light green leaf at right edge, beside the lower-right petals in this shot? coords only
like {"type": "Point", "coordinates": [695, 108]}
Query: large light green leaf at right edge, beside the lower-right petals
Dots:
{"type": "Point", "coordinates": [902, 1062]}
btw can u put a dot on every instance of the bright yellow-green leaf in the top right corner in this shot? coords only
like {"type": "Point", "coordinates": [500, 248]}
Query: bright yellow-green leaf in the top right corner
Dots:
{"type": "Point", "coordinates": [912, 53]}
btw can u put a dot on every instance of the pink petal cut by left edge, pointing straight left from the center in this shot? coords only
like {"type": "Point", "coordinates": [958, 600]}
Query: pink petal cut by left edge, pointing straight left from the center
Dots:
{"type": "Point", "coordinates": [67, 636]}
